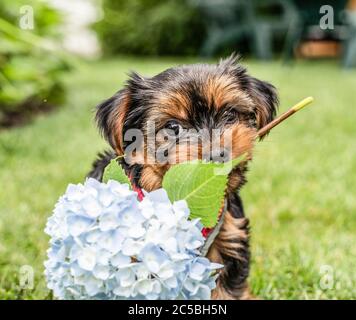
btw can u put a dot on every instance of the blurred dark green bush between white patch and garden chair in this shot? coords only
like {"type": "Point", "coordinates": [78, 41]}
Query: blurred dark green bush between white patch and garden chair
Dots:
{"type": "Point", "coordinates": [153, 27]}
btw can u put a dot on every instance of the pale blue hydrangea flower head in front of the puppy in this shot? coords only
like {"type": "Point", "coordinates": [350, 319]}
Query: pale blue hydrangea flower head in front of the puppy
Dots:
{"type": "Point", "coordinates": [105, 244]}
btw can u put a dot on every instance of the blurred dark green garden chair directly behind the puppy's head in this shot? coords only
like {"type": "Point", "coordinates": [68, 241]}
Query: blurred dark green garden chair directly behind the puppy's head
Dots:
{"type": "Point", "coordinates": [228, 22]}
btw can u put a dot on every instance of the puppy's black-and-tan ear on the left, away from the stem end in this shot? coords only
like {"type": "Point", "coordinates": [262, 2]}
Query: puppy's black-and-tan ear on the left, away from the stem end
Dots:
{"type": "Point", "coordinates": [110, 117]}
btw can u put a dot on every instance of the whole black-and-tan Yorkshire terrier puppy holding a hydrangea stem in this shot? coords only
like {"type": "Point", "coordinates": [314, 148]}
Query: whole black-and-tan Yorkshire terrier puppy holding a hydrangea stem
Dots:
{"type": "Point", "coordinates": [193, 97]}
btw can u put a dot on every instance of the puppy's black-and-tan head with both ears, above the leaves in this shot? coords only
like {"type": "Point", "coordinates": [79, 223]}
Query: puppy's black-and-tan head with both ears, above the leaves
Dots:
{"type": "Point", "coordinates": [188, 112]}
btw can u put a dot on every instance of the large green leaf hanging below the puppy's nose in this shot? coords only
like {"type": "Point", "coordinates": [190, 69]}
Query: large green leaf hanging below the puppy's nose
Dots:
{"type": "Point", "coordinates": [202, 185]}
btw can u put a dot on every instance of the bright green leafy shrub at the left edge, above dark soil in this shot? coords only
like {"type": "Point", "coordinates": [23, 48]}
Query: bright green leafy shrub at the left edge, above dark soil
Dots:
{"type": "Point", "coordinates": [30, 66]}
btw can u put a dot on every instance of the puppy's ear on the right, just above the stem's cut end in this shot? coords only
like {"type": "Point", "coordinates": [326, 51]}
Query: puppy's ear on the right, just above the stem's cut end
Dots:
{"type": "Point", "coordinates": [266, 100]}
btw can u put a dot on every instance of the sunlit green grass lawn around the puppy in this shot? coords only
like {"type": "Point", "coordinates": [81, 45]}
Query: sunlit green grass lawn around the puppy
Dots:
{"type": "Point", "coordinates": [301, 195]}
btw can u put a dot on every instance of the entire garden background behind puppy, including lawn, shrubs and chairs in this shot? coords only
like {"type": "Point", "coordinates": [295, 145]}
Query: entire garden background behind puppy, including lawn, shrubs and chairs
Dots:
{"type": "Point", "coordinates": [60, 58]}
